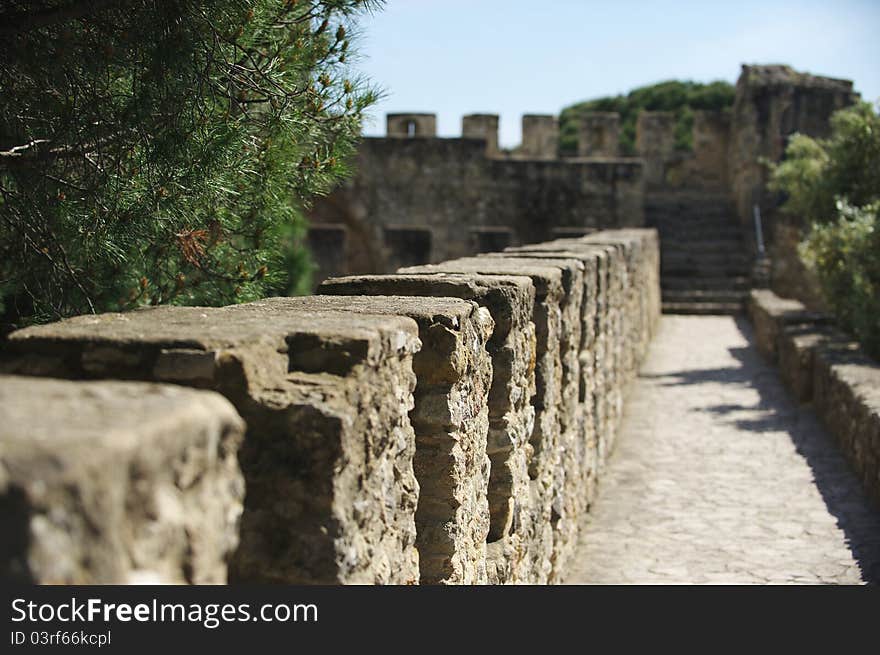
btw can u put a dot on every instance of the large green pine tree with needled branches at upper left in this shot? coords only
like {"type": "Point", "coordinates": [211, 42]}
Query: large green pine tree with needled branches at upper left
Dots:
{"type": "Point", "coordinates": [162, 151]}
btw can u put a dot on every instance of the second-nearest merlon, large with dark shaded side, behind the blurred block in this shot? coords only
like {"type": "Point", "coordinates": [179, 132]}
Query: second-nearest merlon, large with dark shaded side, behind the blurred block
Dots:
{"type": "Point", "coordinates": [331, 493]}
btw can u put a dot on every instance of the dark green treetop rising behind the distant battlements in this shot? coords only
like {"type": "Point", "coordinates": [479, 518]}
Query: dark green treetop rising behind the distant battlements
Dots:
{"type": "Point", "coordinates": [681, 98]}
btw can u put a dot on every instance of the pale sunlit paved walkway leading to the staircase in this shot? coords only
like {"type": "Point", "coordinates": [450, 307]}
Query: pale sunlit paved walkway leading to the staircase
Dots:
{"type": "Point", "coordinates": [719, 477]}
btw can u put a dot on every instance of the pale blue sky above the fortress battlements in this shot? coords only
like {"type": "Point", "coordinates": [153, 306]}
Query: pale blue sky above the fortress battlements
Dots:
{"type": "Point", "coordinates": [511, 57]}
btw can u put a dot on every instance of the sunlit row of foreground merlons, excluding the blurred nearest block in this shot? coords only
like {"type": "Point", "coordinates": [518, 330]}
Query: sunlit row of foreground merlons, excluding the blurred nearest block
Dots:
{"type": "Point", "coordinates": [518, 362]}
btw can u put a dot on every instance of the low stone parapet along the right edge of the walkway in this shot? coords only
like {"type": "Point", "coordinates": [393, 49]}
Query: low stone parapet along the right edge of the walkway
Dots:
{"type": "Point", "coordinates": [821, 365]}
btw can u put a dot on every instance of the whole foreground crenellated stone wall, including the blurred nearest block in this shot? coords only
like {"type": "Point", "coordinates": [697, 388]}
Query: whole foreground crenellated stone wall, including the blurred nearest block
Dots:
{"type": "Point", "coordinates": [445, 424]}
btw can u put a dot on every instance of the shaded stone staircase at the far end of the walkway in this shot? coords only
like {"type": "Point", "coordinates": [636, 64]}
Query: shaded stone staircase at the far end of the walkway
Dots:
{"type": "Point", "coordinates": [705, 264]}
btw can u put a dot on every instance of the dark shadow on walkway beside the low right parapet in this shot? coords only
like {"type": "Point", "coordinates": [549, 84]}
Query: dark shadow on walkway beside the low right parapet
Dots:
{"type": "Point", "coordinates": [840, 489]}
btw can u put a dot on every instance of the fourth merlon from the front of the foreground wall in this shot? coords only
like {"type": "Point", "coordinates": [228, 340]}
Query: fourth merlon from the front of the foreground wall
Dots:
{"type": "Point", "coordinates": [510, 301]}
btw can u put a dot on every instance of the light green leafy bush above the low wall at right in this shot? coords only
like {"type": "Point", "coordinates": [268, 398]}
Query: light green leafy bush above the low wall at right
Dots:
{"type": "Point", "coordinates": [834, 186]}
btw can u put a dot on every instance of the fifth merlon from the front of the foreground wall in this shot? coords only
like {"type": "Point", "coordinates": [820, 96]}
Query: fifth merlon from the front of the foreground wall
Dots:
{"type": "Point", "coordinates": [545, 437]}
